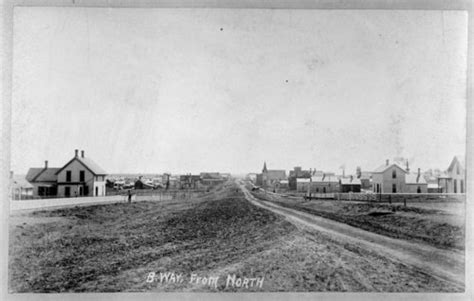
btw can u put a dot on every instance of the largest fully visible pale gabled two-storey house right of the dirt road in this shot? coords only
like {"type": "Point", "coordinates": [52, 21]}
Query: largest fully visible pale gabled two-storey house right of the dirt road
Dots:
{"type": "Point", "coordinates": [389, 178]}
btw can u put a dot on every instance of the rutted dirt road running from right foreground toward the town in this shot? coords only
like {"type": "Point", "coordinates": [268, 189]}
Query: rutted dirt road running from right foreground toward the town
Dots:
{"type": "Point", "coordinates": [446, 265]}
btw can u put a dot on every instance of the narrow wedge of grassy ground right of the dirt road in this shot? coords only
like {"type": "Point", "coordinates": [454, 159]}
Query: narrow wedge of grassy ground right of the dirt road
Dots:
{"type": "Point", "coordinates": [436, 227]}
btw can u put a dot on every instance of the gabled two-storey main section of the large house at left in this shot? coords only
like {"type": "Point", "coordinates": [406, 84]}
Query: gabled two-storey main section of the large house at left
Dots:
{"type": "Point", "coordinates": [81, 177]}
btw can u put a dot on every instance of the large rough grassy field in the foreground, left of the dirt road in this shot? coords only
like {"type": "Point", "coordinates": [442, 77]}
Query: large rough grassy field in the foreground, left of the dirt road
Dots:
{"type": "Point", "coordinates": [110, 248]}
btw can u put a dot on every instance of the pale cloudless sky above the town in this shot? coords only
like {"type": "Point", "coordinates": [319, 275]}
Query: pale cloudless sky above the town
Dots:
{"type": "Point", "coordinates": [193, 90]}
